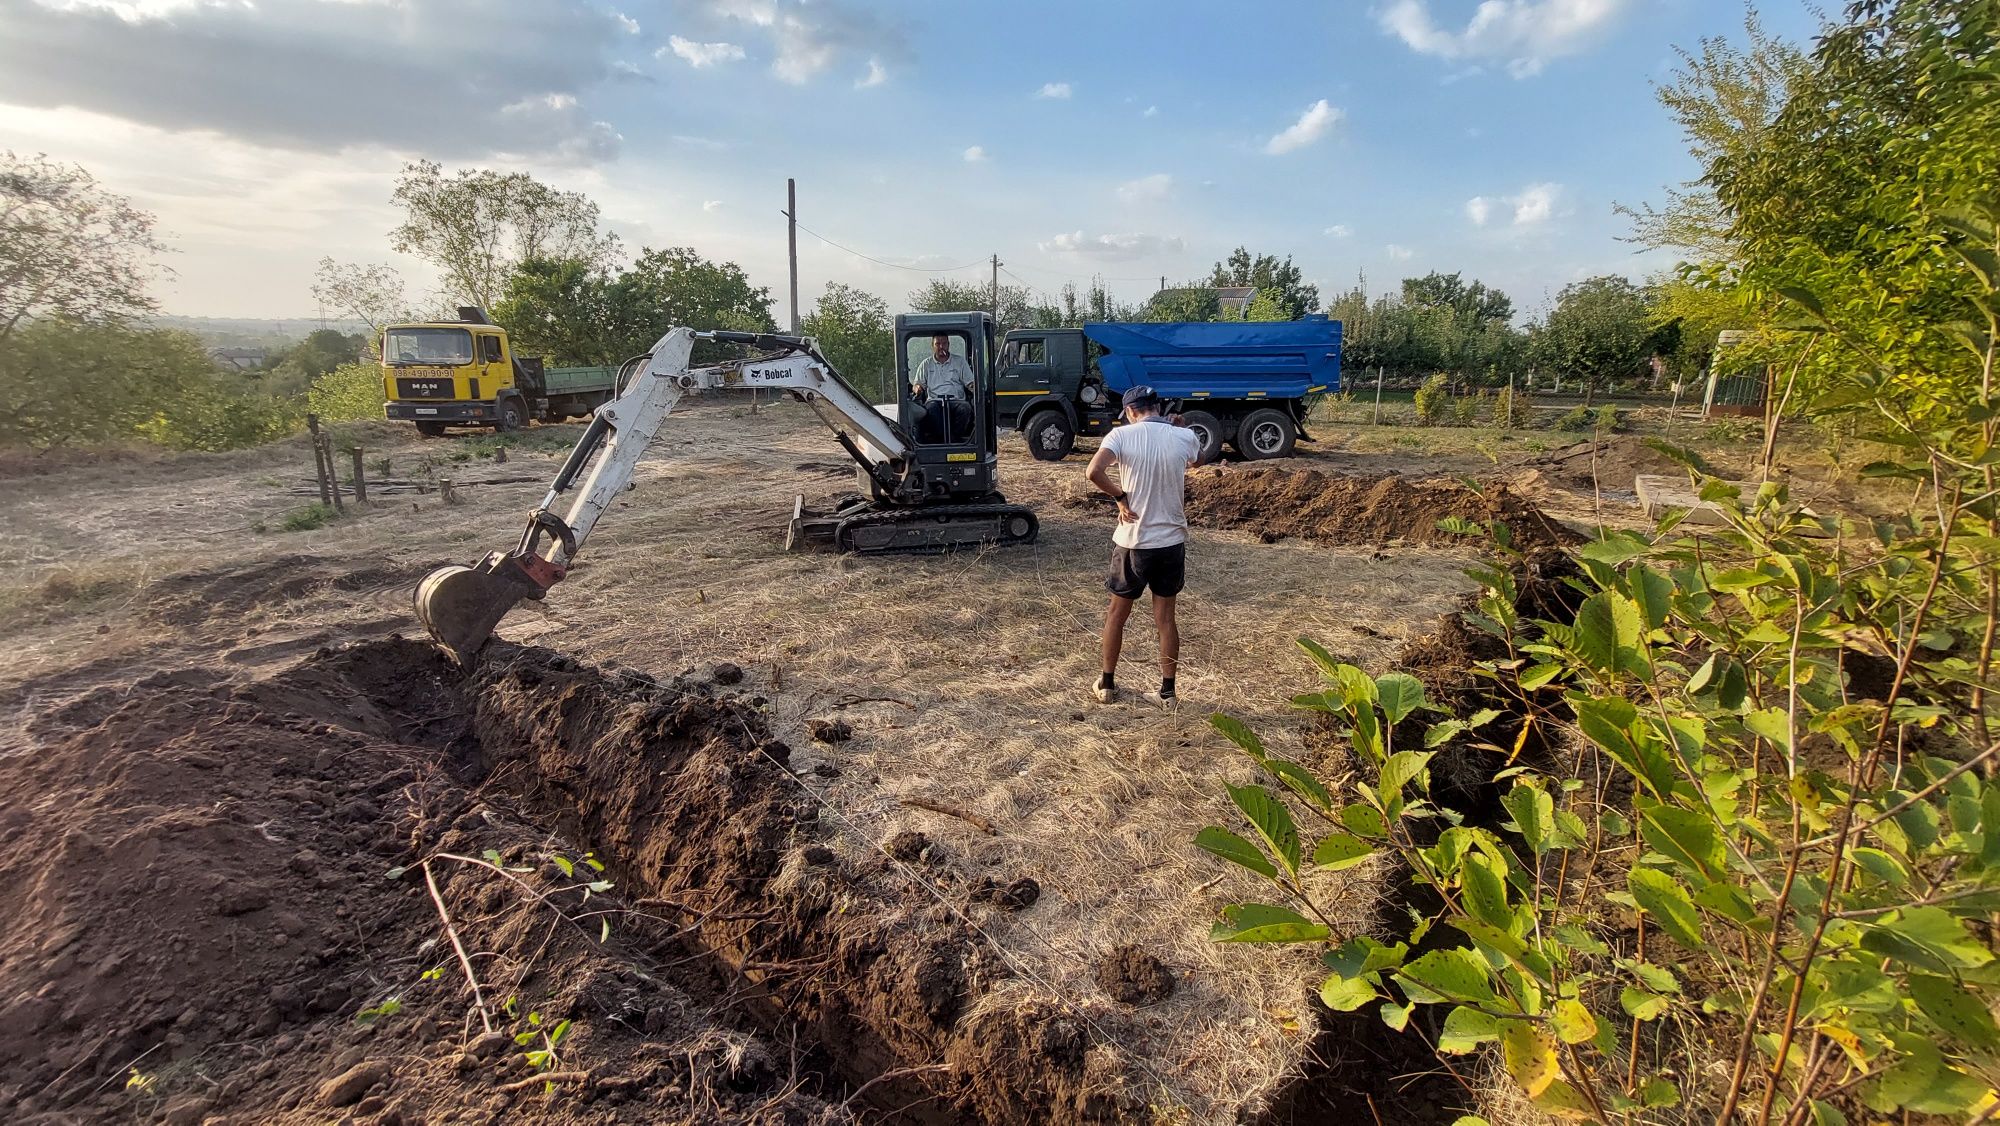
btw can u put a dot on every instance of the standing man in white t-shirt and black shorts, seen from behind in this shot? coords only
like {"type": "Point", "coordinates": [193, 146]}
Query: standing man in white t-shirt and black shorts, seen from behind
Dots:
{"type": "Point", "coordinates": [1151, 543]}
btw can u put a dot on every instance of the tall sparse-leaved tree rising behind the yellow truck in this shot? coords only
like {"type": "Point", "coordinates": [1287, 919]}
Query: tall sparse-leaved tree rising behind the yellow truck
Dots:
{"type": "Point", "coordinates": [479, 225]}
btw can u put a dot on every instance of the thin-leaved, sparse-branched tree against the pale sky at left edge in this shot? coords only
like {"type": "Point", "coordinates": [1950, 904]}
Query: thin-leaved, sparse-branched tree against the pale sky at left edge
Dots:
{"type": "Point", "coordinates": [69, 249]}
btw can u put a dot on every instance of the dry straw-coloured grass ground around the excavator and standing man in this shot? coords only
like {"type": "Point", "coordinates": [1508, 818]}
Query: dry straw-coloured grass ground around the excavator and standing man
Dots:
{"type": "Point", "coordinates": [961, 681]}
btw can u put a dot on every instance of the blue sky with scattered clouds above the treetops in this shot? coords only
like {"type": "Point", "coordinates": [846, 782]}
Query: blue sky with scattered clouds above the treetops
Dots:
{"type": "Point", "coordinates": [1079, 139]}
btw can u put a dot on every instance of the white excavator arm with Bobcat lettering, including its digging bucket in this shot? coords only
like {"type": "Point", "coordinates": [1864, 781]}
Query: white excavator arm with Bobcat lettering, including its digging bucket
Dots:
{"type": "Point", "coordinates": [461, 605]}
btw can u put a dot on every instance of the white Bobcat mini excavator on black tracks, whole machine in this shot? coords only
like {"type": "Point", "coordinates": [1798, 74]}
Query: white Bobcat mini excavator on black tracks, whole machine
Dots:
{"type": "Point", "coordinates": [927, 475]}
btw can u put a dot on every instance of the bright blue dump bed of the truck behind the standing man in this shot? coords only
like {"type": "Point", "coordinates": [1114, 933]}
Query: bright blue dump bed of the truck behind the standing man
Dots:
{"type": "Point", "coordinates": [1227, 359]}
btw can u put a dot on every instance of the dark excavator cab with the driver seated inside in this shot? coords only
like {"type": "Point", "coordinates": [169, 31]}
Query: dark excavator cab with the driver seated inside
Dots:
{"type": "Point", "coordinates": [953, 419]}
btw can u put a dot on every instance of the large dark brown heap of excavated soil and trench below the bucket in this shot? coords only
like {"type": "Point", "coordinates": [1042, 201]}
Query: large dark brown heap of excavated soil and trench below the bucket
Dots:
{"type": "Point", "coordinates": [219, 915]}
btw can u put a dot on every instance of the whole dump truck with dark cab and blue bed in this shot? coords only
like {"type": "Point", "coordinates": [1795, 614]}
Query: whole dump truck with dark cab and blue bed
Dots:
{"type": "Point", "coordinates": [1237, 381]}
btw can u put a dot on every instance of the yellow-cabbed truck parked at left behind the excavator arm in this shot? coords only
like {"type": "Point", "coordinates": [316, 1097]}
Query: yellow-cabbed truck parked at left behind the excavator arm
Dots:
{"type": "Point", "coordinates": [465, 373]}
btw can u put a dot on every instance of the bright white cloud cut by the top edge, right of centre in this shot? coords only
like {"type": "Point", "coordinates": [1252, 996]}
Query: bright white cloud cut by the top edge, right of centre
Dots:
{"type": "Point", "coordinates": [1525, 35]}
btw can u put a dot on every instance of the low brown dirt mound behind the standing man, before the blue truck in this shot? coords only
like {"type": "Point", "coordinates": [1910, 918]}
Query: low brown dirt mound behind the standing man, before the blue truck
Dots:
{"type": "Point", "coordinates": [1359, 509]}
